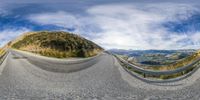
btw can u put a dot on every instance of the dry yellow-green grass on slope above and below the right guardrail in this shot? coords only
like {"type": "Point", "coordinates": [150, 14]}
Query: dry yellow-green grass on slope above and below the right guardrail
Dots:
{"type": "Point", "coordinates": [186, 61]}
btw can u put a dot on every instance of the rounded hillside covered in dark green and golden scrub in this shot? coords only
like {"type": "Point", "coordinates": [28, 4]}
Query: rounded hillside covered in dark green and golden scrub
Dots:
{"type": "Point", "coordinates": [56, 44]}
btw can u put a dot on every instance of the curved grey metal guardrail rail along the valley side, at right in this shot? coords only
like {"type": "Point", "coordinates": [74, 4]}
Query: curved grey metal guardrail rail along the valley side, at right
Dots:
{"type": "Point", "coordinates": [157, 73]}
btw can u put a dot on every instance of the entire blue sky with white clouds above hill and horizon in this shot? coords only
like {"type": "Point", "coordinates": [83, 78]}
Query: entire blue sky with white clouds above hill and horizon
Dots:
{"type": "Point", "coordinates": [119, 24]}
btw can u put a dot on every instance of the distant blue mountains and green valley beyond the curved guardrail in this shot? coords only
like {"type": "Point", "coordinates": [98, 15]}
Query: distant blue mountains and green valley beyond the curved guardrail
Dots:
{"type": "Point", "coordinates": [154, 57]}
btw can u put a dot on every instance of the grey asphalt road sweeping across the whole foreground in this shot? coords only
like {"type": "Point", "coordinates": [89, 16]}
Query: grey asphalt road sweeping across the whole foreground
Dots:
{"type": "Point", "coordinates": [23, 78]}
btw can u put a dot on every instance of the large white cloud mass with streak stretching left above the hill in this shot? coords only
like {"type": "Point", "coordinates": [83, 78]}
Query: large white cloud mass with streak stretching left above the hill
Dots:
{"type": "Point", "coordinates": [127, 26]}
